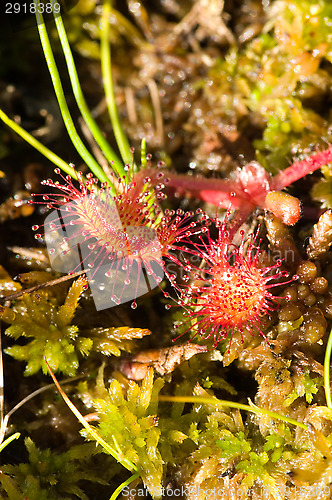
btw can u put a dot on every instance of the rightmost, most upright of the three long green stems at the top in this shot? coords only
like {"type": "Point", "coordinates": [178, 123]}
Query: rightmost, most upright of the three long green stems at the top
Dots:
{"type": "Point", "coordinates": [106, 69]}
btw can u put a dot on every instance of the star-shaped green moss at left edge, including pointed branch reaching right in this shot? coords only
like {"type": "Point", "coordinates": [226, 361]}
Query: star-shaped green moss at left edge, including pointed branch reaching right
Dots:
{"type": "Point", "coordinates": [42, 317]}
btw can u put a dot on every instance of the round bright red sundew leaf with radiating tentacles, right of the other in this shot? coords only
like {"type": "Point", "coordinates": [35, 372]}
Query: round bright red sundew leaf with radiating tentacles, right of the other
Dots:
{"type": "Point", "coordinates": [228, 290]}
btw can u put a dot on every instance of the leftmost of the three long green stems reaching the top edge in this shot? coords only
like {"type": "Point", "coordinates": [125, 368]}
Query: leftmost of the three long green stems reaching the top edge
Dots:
{"type": "Point", "coordinates": [74, 137]}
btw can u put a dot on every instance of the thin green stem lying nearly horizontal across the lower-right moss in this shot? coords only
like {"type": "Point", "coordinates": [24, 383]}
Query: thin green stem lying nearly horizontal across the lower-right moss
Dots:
{"type": "Point", "coordinates": [231, 404]}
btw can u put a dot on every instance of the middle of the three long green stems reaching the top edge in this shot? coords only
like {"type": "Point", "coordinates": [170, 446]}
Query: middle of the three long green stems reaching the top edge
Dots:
{"type": "Point", "coordinates": [81, 103]}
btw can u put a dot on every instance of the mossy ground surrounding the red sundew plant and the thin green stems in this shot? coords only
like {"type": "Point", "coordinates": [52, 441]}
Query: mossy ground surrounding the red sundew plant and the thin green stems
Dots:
{"type": "Point", "coordinates": [211, 87]}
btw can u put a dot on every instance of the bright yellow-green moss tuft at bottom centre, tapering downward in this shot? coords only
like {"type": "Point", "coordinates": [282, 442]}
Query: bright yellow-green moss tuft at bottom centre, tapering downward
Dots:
{"type": "Point", "coordinates": [129, 423]}
